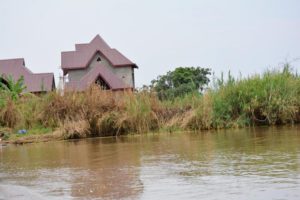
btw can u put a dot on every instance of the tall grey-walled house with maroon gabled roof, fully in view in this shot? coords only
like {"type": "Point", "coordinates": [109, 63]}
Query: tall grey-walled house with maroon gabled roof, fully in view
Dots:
{"type": "Point", "coordinates": [96, 62]}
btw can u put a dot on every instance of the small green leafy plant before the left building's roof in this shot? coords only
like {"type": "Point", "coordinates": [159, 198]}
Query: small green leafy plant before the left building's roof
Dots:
{"type": "Point", "coordinates": [12, 88]}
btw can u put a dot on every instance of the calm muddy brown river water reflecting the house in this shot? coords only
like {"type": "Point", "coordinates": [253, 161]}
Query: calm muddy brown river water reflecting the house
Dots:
{"type": "Point", "coordinates": [261, 163]}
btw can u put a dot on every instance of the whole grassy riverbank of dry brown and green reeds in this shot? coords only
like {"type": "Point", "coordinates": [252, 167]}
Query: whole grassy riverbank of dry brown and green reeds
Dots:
{"type": "Point", "coordinates": [272, 98]}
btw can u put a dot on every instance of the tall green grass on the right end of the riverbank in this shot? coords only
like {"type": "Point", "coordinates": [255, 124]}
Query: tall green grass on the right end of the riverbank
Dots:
{"type": "Point", "coordinates": [271, 98]}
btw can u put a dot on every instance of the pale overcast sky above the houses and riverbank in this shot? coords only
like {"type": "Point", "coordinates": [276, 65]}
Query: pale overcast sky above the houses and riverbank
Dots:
{"type": "Point", "coordinates": [245, 36]}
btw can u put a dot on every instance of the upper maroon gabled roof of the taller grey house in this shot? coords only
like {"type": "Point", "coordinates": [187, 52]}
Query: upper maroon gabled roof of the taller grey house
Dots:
{"type": "Point", "coordinates": [81, 57]}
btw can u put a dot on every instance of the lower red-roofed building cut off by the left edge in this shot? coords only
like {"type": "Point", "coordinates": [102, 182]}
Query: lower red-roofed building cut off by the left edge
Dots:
{"type": "Point", "coordinates": [34, 82]}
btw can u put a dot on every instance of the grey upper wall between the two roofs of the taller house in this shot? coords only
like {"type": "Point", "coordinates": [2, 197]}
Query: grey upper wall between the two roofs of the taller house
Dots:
{"type": "Point", "coordinates": [123, 73]}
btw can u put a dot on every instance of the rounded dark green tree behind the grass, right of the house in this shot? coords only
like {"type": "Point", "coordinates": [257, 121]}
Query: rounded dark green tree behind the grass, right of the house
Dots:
{"type": "Point", "coordinates": [181, 81]}
